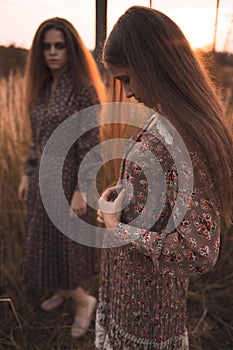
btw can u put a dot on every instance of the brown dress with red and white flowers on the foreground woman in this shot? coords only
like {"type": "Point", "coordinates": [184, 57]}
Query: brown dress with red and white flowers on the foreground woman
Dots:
{"type": "Point", "coordinates": [144, 283]}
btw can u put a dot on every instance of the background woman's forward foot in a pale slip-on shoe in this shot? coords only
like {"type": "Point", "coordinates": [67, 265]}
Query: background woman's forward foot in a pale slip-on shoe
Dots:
{"type": "Point", "coordinates": [83, 317]}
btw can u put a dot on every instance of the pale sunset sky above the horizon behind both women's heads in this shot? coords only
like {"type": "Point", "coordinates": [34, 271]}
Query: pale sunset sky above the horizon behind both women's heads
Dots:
{"type": "Point", "coordinates": [19, 19]}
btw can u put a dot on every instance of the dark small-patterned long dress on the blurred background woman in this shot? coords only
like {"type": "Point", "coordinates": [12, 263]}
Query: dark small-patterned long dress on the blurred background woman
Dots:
{"type": "Point", "coordinates": [51, 260]}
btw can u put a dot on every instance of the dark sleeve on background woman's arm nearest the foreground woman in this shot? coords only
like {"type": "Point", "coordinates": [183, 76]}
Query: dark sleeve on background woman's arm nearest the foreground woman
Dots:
{"type": "Point", "coordinates": [88, 140]}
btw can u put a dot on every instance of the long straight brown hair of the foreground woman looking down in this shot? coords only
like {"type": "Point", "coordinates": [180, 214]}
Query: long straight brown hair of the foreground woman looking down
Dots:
{"type": "Point", "coordinates": [156, 50]}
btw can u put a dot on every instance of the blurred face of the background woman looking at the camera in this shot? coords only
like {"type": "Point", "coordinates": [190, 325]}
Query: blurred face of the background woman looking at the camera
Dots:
{"type": "Point", "coordinates": [55, 51]}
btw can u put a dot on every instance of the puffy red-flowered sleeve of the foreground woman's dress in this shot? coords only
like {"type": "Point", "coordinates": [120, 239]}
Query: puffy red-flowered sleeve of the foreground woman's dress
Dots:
{"type": "Point", "coordinates": [192, 247]}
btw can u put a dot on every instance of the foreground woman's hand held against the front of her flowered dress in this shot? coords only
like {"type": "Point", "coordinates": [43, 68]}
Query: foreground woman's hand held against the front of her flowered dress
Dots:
{"type": "Point", "coordinates": [110, 207]}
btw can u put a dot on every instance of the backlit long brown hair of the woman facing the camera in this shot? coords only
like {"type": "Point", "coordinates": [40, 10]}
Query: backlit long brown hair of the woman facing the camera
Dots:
{"type": "Point", "coordinates": [81, 62]}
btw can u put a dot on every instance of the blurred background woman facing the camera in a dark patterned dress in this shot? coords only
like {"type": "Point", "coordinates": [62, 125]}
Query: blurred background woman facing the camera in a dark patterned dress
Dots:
{"type": "Point", "coordinates": [61, 78]}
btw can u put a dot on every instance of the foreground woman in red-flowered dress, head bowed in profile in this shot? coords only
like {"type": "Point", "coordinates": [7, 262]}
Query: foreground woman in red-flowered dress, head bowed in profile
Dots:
{"type": "Point", "coordinates": [144, 281]}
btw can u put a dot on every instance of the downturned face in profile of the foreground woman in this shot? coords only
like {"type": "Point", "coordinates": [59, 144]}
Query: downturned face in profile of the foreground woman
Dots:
{"type": "Point", "coordinates": [132, 86]}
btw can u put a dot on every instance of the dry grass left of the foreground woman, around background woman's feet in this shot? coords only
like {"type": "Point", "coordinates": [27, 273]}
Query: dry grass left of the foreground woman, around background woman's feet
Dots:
{"type": "Point", "coordinates": [22, 324]}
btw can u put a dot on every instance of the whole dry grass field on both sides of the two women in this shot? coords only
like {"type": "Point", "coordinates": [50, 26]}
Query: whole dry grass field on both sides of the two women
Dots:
{"type": "Point", "coordinates": [23, 325]}
